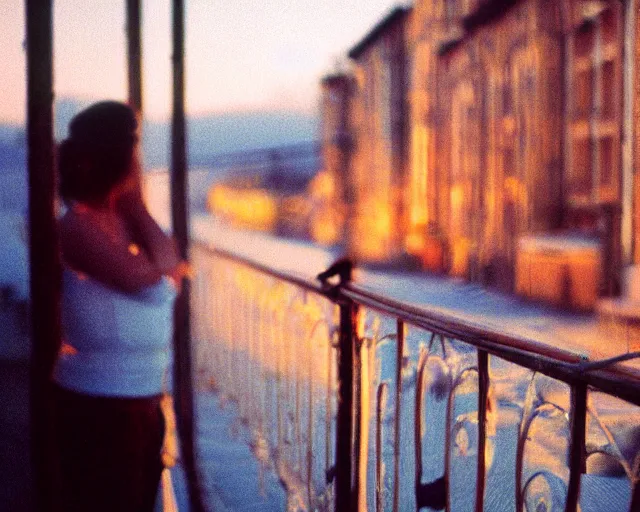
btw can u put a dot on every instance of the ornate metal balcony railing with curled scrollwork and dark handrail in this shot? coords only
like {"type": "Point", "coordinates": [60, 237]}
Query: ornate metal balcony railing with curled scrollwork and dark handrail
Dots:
{"type": "Point", "coordinates": [365, 403]}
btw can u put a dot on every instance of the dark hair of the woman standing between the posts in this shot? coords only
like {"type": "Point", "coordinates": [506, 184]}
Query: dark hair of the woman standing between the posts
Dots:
{"type": "Point", "coordinates": [98, 152]}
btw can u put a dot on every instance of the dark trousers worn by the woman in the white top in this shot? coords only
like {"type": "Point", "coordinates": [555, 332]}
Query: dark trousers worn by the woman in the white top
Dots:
{"type": "Point", "coordinates": [109, 452]}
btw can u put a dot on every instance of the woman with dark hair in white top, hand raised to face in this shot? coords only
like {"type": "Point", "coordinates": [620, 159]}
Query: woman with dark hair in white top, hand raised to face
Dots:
{"type": "Point", "coordinates": [118, 288]}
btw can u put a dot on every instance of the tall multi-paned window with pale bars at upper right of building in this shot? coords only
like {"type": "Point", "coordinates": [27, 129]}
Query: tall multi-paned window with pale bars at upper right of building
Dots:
{"type": "Point", "coordinates": [594, 49]}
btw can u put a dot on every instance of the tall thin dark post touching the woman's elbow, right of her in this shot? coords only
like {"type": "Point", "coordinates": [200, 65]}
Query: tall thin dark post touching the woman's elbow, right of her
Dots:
{"type": "Point", "coordinates": [183, 387]}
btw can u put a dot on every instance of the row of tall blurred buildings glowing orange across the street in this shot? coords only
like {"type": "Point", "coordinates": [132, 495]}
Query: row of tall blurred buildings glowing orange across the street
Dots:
{"type": "Point", "coordinates": [479, 125]}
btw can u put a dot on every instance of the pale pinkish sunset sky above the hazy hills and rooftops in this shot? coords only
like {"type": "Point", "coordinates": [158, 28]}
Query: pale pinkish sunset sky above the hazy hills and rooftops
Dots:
{"type": "Point", "coordinates": [242, 55]}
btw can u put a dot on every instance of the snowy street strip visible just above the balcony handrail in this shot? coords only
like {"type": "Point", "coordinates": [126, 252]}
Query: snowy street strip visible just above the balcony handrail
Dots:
{"type": "Point", "coordinates": [585, 335]}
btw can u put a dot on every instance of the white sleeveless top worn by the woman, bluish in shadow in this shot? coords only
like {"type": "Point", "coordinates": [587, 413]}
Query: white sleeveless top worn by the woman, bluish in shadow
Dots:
{"type": "Point", "coordinates": [116, 344]}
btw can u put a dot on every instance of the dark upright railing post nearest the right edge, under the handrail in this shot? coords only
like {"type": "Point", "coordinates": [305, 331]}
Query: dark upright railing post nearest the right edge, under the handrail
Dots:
{"type": "Point", "coordinates": [577, 456]}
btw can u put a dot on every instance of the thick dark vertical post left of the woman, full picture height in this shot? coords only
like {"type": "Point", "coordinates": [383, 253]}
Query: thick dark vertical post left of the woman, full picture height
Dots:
{"type": "Point", "coordinates": [44, 261]}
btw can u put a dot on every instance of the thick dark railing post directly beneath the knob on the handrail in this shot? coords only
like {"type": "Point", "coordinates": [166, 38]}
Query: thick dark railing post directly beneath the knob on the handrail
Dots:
{"type": "Point", "coordinates": [344, 493]}
